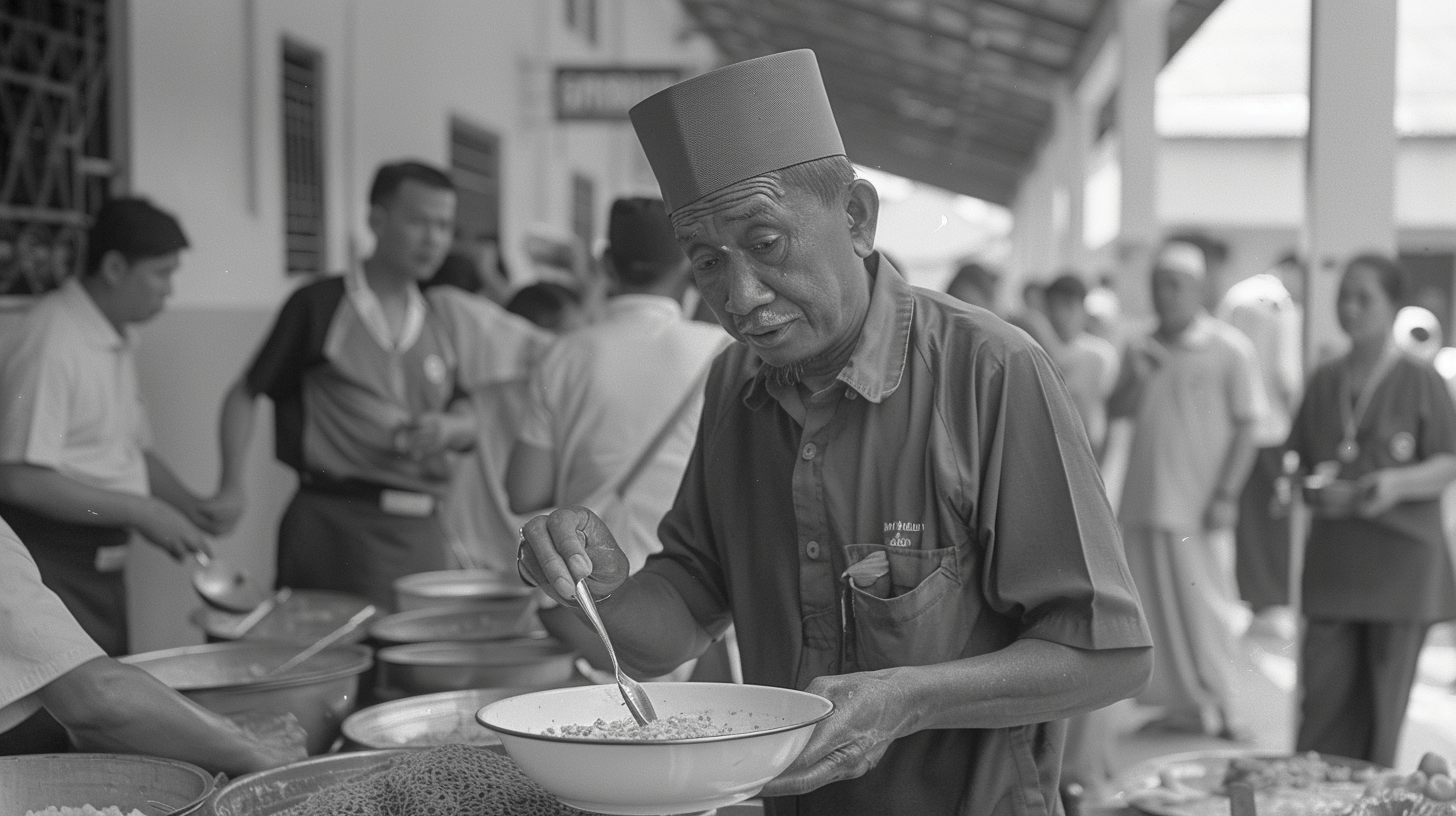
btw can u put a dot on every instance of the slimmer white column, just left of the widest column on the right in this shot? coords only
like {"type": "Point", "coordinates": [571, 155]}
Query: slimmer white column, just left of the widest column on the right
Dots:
{"type": "Point", "coordinates": [1142, 27]}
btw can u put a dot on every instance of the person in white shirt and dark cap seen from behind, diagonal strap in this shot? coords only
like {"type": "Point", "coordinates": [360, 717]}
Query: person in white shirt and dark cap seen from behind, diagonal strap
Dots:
{"type": "Point", "coordinates": [620, 400]}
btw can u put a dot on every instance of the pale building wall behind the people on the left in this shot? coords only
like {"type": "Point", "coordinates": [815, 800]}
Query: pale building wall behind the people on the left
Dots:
{"type": "Point", "coordinates": [206, 142]}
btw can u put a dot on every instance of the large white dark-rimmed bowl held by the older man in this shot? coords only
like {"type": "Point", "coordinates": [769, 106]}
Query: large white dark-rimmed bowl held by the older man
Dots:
{"type": "Point", "coordinates": [657, 777]}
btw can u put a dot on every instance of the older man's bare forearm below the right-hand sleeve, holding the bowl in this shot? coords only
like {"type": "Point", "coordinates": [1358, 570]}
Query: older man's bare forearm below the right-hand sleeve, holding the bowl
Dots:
{"type": "Point", "coordinates": [1030, 681]}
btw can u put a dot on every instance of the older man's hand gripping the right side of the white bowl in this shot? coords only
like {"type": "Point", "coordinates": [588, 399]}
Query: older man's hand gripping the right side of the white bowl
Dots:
{"type": "Point", "coordinates": [870, 713]}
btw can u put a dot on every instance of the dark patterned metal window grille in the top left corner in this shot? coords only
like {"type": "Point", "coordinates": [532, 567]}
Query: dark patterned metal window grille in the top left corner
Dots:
{"type": "Point", "coordinates": [55, 138]}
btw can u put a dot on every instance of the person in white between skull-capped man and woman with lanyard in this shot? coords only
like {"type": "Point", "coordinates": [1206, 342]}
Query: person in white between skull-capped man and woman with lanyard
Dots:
{"type": "Point", "coordinates": [1267, 310]}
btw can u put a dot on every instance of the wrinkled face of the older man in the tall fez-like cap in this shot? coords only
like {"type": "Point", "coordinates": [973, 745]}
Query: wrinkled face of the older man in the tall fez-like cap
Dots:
{"type": "Point", "coordinates": [780, 269]}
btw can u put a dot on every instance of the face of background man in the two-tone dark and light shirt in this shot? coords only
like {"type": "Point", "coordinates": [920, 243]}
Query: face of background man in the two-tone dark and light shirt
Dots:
{"type": "Point", "coordinates": [413, 231]}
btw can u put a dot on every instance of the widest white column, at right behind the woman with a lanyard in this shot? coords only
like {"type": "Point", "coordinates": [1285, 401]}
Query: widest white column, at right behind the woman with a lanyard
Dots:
{"type": "Point", "coordinates": [1350, 154]}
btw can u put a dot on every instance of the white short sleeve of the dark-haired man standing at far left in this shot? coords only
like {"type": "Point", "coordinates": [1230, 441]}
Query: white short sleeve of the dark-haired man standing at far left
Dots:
{"type": "Point", "coordinates": [36, 380]}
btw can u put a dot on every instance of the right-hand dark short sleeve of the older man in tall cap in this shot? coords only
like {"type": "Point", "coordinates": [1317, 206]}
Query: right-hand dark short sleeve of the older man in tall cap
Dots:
{"type": "Point", "coordinates": [1053, 550]}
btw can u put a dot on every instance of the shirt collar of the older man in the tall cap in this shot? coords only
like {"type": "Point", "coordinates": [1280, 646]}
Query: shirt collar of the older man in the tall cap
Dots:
{"type": "Point", "coordinates": [879, 362]}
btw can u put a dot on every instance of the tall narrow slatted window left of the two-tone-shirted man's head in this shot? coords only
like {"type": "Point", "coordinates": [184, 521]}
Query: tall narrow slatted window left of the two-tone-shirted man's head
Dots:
{"type": "Point", "coordinates": [304, 160]}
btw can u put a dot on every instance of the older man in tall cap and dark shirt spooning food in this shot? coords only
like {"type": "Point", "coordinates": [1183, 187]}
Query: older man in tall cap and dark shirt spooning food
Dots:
{"type": "Point", "coordinates": [890, 496]}
